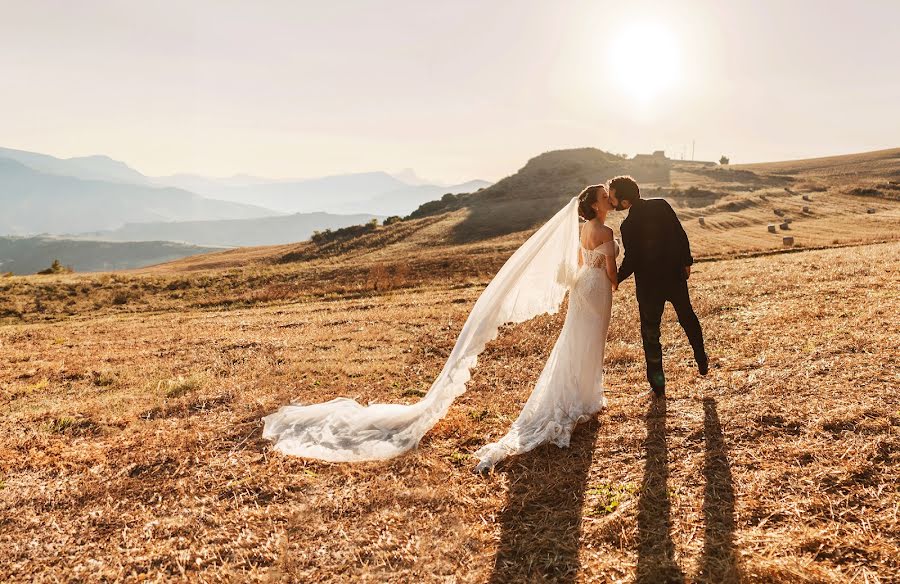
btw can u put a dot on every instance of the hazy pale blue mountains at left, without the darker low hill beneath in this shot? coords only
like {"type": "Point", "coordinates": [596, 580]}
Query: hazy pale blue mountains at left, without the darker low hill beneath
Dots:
{"type": "Point", "coordinates": [46, 194]}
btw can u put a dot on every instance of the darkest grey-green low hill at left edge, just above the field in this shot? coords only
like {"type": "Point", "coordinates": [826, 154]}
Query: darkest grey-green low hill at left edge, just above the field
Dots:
{"type": "Point", "coordinates": [28, 255]}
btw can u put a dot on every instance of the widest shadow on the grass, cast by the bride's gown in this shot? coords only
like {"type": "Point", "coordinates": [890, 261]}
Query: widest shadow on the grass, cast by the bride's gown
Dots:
{"type": "Point", "coordinates": [541, 523]}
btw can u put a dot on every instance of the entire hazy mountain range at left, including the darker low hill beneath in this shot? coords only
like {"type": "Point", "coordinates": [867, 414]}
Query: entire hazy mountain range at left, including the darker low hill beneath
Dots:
{"type": "Point", "coordinates": [102, 202]}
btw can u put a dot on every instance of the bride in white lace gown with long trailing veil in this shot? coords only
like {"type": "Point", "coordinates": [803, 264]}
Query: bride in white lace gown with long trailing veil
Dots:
{"type": "Point", "coordinates": [555, 260]}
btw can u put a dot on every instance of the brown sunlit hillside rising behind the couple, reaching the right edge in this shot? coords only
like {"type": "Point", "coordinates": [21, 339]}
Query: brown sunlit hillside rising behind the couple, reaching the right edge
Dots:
{"type": "Point", "coordinates": [737, 206]}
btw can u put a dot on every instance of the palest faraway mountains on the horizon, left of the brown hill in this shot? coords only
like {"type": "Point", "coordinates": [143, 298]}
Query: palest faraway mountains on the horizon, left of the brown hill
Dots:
{"type": "Point", "coordinates": [377, 193]}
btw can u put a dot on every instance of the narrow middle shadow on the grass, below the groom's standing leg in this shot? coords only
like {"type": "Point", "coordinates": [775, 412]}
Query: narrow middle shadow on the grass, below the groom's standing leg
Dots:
{"type": "Point", "coordinates": [656, 550]}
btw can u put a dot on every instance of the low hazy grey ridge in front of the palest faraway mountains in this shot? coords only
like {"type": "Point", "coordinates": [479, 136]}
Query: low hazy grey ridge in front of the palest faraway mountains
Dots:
{"type": "Point", "coordinates": [233, 233]}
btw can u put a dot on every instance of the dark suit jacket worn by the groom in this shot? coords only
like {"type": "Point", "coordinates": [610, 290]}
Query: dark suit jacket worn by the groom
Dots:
{"type": "Point", "coordinates": [656, 246]}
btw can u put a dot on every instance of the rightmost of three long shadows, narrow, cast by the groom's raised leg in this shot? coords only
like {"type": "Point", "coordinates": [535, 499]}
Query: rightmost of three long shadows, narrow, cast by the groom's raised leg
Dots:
{"type": "Point", "coordinates": [719, 561]}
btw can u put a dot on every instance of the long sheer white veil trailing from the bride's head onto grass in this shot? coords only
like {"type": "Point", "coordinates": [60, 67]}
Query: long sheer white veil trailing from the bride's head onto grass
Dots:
{"type": "Point", "coordinates": [533, 281]}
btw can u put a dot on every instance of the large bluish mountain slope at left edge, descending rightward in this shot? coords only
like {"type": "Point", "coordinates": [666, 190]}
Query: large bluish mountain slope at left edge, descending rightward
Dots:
{"type": "Point", "coordinates": [36, 202]}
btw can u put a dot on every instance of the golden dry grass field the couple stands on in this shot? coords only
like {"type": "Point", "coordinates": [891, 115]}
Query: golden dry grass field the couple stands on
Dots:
{"type": "Point", "coordinates": [130, 439]}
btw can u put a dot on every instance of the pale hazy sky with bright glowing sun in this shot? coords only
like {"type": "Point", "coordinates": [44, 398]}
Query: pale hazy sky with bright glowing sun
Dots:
{"type": "Point", "coordinates": [456, 90]}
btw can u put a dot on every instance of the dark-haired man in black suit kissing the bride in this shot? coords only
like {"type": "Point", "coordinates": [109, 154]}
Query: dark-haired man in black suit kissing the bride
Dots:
{"type": "Point", "coordinates": [657, 252]}
